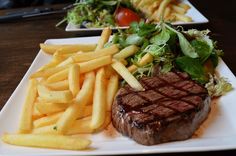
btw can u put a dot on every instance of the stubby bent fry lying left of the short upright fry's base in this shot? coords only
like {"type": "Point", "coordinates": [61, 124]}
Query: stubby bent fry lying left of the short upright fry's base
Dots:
{"type": "Point", "coordinates": [54, 96]}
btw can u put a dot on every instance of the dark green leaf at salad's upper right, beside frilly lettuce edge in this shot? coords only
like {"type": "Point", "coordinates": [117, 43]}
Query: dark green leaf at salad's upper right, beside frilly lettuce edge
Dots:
{"type": "Point", "coordinates": [202, 48]}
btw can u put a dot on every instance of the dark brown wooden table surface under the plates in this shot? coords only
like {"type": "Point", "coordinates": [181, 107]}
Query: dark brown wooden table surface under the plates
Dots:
{"type": "Point", "coordinates": [19, 44]}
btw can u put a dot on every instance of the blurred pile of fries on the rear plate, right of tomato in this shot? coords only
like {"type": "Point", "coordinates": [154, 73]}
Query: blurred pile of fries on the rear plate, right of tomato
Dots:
{"type": "Point", "coordinates": [169, 10]}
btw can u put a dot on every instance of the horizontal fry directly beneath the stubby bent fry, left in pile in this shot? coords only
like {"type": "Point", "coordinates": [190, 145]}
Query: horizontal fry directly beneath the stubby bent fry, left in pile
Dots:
{"type": "Point", "coordinates": [49, 108]}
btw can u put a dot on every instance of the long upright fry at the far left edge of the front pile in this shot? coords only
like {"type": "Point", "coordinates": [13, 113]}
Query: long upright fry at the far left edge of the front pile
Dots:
{"type": "Point", "coordinates": [26, 115]}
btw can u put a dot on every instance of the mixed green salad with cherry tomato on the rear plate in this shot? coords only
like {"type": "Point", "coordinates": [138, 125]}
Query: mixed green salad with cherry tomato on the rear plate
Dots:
{"type": "Point", "coordinates": [101, 13]}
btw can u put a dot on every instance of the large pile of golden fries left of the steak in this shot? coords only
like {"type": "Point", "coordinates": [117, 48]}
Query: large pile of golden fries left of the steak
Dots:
{"type": "Point", "coordinates": [72, 94]}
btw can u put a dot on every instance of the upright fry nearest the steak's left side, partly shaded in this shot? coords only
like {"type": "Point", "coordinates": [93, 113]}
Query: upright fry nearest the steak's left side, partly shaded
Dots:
{"type": "Point", "coordinates": [112, 88]}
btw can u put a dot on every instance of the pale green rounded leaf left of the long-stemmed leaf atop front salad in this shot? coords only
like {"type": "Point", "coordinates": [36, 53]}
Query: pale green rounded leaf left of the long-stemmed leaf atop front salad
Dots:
{"type": "Point", "coordinates": [161, 38]}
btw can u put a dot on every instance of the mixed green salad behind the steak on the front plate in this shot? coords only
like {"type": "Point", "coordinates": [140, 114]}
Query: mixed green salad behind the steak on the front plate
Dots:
{"type": "Point", "coordinates": [191, 51]}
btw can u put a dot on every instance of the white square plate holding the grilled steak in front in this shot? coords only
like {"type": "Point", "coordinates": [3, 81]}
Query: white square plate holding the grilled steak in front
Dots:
{"type": "Point", "coordinates": [217, 133]}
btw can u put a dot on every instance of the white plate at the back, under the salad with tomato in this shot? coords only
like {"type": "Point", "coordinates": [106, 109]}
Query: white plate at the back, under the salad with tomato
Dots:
{"type": "Point", "coordinates": [197, 17]}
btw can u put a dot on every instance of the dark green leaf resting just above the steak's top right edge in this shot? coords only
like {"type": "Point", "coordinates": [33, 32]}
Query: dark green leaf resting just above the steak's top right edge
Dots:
{"type": "Point", "coordinates": [193, 67]}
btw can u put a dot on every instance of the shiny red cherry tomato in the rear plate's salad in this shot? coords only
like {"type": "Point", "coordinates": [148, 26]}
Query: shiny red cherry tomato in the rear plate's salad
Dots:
{"type": "Point", "coordinates": [126, 16]}
